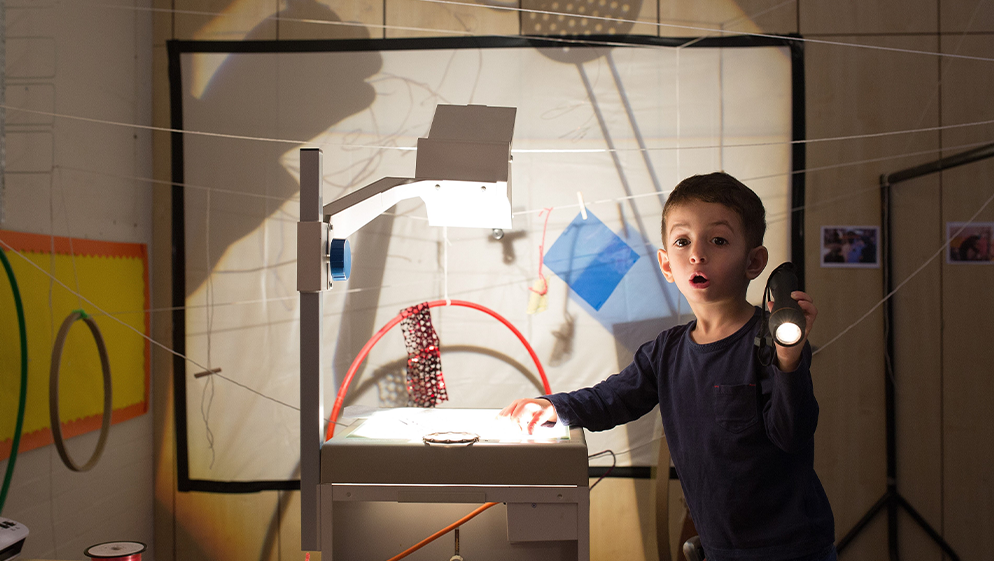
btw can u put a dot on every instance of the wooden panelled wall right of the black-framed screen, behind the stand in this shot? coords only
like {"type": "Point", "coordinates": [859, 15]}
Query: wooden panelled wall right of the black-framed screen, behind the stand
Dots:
{"type": "Point", "coordinates": [940, 327]}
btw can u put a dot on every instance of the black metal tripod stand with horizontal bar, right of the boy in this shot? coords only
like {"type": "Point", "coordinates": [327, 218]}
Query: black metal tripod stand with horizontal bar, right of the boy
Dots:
{"type": "Point", "coordinates": [892, 499]}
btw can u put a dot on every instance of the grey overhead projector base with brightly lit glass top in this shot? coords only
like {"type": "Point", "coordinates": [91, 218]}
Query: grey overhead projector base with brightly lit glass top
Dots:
{"type": "Point", "coordinates": [384, 489]}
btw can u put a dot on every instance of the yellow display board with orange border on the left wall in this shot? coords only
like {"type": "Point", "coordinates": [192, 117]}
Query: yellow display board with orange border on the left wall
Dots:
{"type": "Point", "coordinates": [112, 275]}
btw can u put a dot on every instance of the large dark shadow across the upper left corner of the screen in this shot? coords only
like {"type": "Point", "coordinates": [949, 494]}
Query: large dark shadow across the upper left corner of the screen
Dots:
{"type": "Point", "coordinates": [293, 96]}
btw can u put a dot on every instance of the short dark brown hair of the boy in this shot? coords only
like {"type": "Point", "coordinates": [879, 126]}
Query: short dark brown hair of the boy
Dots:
{"type": "Point", "coordinates": [721, 188]}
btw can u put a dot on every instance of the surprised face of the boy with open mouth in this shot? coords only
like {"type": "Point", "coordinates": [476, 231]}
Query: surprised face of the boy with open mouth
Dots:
{"type": "Point", "coordinates": [706, 254]}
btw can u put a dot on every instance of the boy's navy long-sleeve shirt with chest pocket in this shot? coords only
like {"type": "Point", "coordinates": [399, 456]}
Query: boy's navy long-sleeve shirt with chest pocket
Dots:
{"type": "Point", "coordinates": [741, 436]}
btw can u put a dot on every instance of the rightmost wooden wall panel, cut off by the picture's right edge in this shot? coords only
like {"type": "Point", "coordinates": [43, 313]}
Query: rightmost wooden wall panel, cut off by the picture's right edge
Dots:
{"type": "Point", "coordinates": [967, 305]}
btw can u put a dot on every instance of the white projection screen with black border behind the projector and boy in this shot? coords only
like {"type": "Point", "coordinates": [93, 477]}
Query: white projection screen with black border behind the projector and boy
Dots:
{"type": "Point", "coordinates": [619, 125]}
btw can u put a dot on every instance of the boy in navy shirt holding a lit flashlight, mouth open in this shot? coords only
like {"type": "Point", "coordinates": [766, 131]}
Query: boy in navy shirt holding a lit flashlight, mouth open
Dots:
{"type": "Point", "coordinates": [740, 433]}
